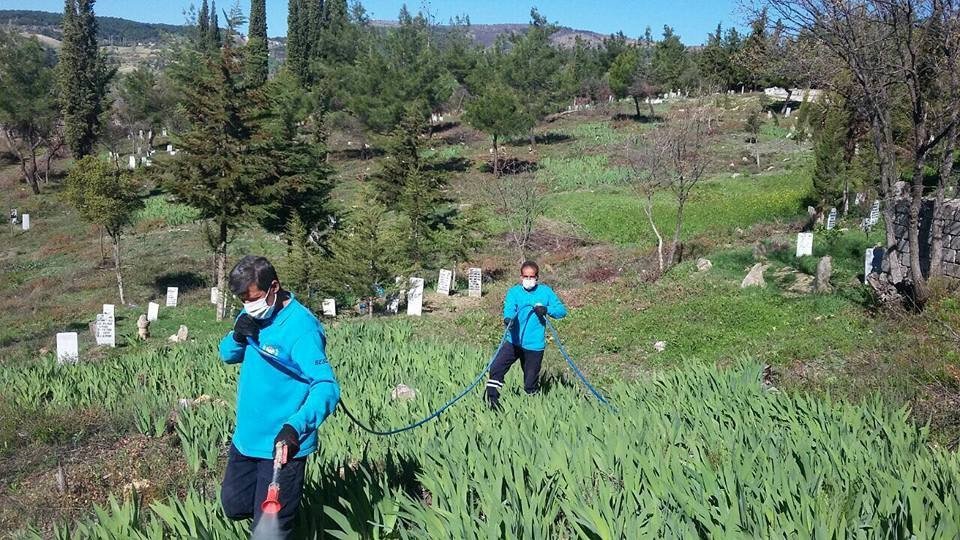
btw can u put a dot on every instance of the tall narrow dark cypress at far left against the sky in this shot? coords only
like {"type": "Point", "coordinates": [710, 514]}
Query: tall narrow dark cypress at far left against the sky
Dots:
{"type": "Point", "coordinates": [83, 76]}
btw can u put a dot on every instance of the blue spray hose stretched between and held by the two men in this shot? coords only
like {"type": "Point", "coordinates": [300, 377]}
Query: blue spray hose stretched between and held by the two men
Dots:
{"type": "Point", "coordinates": [295, 371]}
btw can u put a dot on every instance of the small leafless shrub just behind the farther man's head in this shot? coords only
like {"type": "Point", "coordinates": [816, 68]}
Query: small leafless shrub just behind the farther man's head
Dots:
{"type": "Point", "coordinates": [519, 199]}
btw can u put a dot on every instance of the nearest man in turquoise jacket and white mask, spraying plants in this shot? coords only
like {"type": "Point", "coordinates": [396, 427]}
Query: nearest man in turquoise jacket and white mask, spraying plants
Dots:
{"type": "Point", "coordinates": [277, 402]}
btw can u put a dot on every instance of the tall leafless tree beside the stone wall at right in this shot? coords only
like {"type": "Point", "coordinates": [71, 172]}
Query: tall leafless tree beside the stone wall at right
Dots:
{"type": "Point", "coordinates": [894, 50]}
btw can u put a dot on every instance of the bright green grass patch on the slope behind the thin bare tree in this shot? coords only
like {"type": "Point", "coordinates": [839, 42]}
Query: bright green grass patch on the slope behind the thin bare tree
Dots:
{"type": "Point", "coordinates": [717, 207]}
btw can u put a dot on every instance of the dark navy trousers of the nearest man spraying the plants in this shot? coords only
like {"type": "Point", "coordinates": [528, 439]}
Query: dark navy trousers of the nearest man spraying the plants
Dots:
{"type": "Point", "coordinates": [245, 485]}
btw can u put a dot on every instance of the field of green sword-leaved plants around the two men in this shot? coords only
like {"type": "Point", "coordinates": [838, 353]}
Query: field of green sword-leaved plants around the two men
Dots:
{"type": "Point", "coordinates": [700, 452]}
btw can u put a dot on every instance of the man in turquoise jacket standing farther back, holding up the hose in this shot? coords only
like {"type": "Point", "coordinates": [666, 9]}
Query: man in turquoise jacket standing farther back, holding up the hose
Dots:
{"type": "Point", "coordinates": [524, 310]}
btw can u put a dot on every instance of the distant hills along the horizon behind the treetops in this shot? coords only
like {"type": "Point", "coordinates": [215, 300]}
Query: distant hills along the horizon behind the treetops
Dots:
{"type": "Point", "coordinates": [122, 32]}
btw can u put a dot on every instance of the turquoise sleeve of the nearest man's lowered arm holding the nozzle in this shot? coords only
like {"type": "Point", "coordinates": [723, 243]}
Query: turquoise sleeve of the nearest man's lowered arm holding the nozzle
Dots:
{"type": "Point", "coordinates": [309, 353]}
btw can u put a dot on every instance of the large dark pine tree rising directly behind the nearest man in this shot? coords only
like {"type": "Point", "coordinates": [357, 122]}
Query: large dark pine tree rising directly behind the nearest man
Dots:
{"type": "Point", "coordinates": [234, 168]}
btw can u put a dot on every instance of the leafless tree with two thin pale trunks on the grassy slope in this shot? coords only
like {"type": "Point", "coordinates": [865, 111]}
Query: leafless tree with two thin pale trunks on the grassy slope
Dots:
{"type": "Point", "coordinates": [671, 158]}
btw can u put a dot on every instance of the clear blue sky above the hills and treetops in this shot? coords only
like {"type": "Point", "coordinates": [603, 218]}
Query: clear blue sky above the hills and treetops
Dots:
{"type": "Point", "coordinates": [693, 20]}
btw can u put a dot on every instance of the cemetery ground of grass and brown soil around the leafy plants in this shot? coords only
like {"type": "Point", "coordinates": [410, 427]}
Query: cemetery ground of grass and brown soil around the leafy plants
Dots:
{"type": "Point", "coordinates": [594, 246]}
